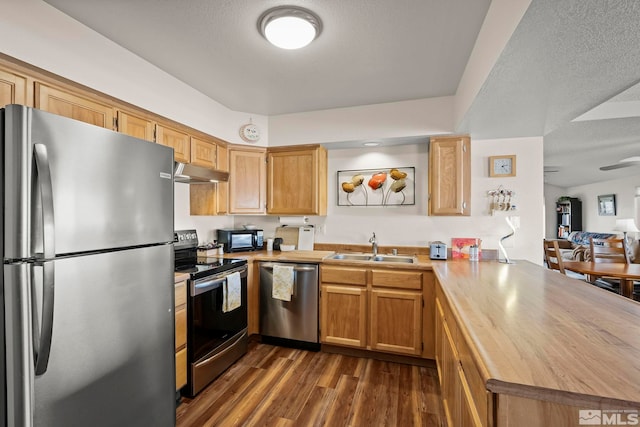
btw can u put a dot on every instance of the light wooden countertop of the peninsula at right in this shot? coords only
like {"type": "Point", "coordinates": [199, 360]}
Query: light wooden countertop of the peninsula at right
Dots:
{"type": "Point", "coordinates": [537, 334]}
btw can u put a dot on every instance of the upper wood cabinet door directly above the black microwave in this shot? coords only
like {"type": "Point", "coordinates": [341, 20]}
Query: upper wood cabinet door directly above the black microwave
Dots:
{"type": "Point", "coordinates": [247, 181]}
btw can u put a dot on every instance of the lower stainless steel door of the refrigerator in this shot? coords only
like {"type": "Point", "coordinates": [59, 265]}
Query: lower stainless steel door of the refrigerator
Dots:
{"type": "Point", "coordinates": [112, 356]}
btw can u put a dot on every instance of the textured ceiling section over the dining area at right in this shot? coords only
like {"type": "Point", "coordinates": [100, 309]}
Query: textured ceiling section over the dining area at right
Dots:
{"type": "Point", "coordinates": [565, 58]}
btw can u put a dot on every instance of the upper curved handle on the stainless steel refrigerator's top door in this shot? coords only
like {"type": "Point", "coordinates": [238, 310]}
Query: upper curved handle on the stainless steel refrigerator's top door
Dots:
{"type": "Point", "coordinates": [46, 193]}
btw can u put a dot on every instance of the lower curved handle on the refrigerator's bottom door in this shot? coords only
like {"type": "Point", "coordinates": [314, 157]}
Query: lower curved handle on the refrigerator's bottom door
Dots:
{"type": "Point", "coordinates": [42, 337]}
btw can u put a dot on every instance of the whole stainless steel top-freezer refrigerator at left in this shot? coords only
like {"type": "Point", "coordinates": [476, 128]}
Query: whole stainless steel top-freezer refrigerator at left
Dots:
{"type": "Point", "coordinates": [87, 289]}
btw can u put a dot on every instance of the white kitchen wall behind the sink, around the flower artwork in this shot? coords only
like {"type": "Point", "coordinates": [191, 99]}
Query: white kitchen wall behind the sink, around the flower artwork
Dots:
{"type": "Point", "coordinates": [411, 226]}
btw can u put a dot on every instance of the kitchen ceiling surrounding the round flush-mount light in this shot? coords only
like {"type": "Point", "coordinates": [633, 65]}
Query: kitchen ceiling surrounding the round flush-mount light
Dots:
{"type": "Point", "coordinates": [370, 51]}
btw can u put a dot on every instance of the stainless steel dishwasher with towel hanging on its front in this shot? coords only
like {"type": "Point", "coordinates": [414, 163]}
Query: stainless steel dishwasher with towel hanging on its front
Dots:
{"type": "Point", "coordinates": [291, 323]}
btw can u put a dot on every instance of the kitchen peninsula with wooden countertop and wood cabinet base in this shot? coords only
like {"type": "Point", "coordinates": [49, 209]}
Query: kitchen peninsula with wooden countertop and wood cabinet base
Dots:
{"type": "Point", "coordinates": [522, 345]}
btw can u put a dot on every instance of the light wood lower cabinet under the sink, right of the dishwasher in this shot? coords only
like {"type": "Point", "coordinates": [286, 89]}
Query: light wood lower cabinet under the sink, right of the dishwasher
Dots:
{"type": "Point", "coordinates": [372, 308]}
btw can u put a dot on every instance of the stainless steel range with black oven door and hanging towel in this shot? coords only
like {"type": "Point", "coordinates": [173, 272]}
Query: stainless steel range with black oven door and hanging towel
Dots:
{"type": "Point", "coordinates": [216, 335]}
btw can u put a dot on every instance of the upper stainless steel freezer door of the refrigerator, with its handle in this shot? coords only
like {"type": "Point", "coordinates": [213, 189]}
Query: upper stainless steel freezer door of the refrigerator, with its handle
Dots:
{"type": "Point", "coordinates": [81, 186]}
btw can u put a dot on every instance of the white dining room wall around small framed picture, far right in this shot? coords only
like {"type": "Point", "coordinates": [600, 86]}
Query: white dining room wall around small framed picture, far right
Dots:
{"type": "Point", "coordinates": [625, 191]}
